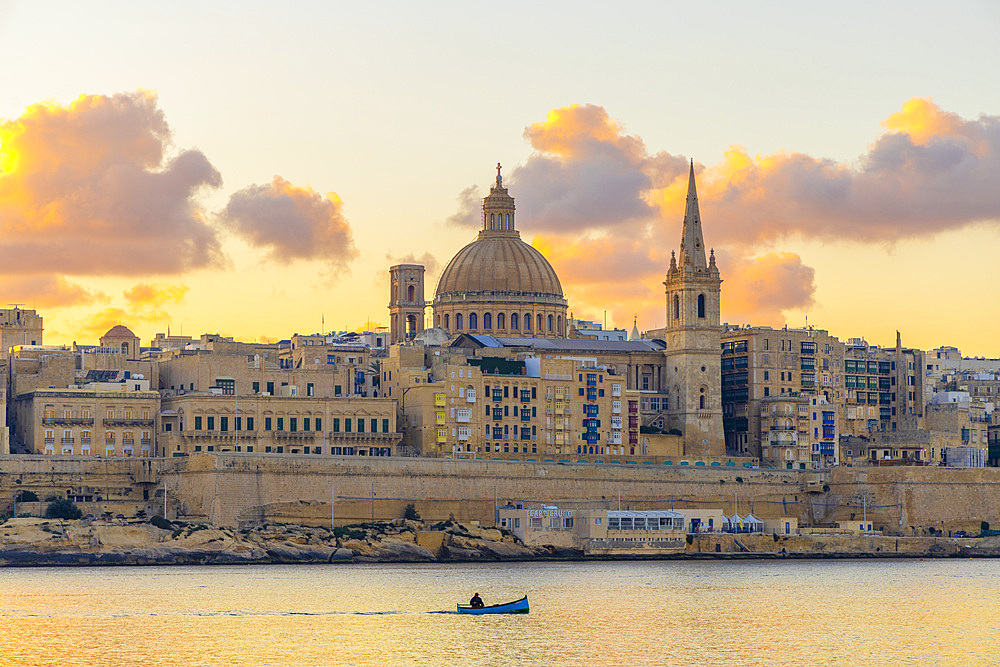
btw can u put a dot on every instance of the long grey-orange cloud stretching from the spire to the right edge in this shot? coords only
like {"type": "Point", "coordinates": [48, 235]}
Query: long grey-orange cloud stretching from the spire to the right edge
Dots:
{"type": "Point", "coordinates": [932, 171]}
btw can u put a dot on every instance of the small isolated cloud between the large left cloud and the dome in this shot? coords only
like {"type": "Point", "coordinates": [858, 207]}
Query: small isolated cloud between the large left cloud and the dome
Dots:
{"type": "Point", "coordinates": [292, 222]}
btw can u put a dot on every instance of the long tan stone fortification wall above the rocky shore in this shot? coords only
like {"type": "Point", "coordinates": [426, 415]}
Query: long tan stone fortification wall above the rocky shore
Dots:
{"type": "Point", "coordinates": [238, 489]}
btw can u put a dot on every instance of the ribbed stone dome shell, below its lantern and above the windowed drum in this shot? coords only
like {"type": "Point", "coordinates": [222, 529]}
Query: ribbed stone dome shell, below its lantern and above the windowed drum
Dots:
{"type": "Point", "coordinates": [500, 264]}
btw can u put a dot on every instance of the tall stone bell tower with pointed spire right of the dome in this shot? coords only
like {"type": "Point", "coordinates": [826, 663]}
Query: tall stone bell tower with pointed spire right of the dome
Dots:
{"type": "Point", "coordinates": [693, 332]}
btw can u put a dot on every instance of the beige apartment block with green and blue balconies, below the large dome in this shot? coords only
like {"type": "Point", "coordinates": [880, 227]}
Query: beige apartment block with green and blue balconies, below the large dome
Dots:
{"type": "Point", "coordinates": [532, 409]}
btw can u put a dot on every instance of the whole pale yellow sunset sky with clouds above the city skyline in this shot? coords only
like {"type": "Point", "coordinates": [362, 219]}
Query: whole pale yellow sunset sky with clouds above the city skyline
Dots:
{"type": "Point", "coordinates": [253, 169]}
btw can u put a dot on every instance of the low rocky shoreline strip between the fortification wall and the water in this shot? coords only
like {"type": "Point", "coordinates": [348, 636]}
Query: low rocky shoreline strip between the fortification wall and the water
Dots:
{"type": "Point", "coordinates": [35, 542]}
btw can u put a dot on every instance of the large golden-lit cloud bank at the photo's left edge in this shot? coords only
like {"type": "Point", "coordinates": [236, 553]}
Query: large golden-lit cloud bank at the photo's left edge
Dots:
{"type": "Point", "coordinates": [88, 188]}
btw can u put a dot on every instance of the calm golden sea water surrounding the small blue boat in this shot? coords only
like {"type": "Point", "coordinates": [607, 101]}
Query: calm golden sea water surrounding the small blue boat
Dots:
{"type": "Point", "coordinates": [939, 612]}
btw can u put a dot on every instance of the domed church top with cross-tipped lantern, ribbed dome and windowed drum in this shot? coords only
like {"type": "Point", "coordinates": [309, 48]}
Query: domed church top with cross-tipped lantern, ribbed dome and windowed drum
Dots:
{"type": "Point", "coordinates": [498, 284]}
